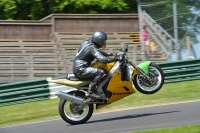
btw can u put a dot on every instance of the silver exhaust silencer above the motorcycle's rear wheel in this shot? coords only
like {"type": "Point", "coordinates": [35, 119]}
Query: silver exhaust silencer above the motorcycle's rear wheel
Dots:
{"type": "Point", "coordinates": [70, 98]}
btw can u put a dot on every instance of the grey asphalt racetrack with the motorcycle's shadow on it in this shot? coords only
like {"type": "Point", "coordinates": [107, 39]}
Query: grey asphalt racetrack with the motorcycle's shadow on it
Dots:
{"type": "Point", "coordinates": [168, 115]}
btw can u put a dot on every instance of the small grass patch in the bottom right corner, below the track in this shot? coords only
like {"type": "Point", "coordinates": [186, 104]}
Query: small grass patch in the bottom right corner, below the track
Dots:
{"type": "Point", "coordinates": [181, 129]}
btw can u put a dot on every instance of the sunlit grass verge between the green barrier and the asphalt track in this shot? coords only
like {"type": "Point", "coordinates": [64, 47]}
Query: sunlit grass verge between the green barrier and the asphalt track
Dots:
{"type": "Point", "coordinates": [44, 110]}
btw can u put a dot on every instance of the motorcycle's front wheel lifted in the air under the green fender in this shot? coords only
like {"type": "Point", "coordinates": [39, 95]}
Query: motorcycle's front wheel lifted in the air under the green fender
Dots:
{"type": "Point", "coordinates": [150, 87]}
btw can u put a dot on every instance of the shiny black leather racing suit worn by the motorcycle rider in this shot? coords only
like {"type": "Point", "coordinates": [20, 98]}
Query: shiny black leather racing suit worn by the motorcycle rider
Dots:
{"type": "Point", "coordinates": [87, 52]}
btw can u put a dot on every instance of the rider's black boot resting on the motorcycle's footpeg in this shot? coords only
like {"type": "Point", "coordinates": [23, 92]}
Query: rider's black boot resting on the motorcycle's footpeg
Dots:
{"type": "Point", "coordinates": [91, 91]}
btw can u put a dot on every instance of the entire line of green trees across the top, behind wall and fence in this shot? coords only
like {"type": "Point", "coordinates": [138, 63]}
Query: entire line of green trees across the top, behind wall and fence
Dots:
{"type": "Point", "coordinates": [38, 9]}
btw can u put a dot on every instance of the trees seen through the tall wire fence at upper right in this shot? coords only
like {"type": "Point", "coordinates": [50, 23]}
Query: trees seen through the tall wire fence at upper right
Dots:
{"type": "Point", "coordinates": [162, 13]}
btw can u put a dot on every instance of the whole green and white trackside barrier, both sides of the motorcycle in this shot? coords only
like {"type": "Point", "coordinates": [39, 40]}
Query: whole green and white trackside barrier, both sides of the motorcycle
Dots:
{"type": "Point", "coordinates": [36, 90]}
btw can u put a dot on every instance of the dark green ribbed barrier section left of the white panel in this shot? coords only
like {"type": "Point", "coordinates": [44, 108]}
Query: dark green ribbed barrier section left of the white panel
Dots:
{"type": "Point", "coordinates": [25, 91]}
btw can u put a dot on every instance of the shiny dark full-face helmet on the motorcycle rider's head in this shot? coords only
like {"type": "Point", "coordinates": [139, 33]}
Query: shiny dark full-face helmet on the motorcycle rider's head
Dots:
{"type": "Point", "coordinates": [99, 38]}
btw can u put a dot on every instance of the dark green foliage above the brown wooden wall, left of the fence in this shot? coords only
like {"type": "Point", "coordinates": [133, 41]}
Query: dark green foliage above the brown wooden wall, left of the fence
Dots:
{"type": "Point", "coordinates": [37, 9]}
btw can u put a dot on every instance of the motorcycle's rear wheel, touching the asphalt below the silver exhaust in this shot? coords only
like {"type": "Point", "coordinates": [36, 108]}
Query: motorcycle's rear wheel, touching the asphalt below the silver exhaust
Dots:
{"type": "Point", "coordinates": [67, 111]}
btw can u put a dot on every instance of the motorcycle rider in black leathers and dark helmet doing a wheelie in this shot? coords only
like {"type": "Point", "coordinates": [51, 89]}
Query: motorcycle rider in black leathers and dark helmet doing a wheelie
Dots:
{"type": "Point", "coordinates": [87, 52]}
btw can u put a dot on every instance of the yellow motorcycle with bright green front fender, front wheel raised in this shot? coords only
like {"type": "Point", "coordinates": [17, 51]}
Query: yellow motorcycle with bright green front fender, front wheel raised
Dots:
{"type": "Point", "coordinates": [121, 81]}
